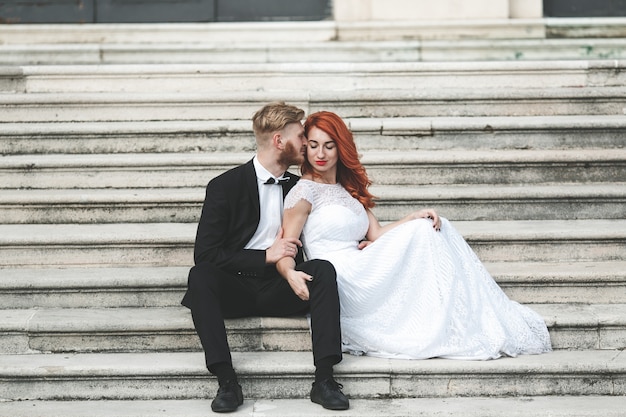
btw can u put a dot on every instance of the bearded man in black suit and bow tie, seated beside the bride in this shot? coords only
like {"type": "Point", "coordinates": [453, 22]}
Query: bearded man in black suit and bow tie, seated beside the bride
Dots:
{"type": "Point", "coordinates": [238, 242]}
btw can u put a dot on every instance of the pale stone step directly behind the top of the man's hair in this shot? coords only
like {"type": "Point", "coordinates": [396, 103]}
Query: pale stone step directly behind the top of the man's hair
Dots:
{"type": "Point", "coordinates": [450, 102]}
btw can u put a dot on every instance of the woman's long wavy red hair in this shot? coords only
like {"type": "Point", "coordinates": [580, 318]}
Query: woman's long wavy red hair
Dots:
{"type": "Point", "coordinates": [350, 172]}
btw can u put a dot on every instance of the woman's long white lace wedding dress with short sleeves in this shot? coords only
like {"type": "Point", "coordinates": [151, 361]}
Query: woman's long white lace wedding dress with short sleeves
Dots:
{"type": "Point", "coordinates": [414, 293]}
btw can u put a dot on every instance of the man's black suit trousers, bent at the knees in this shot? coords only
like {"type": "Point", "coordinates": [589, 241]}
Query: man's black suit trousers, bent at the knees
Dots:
{"type": "Point", "coordinates": [214, 295]}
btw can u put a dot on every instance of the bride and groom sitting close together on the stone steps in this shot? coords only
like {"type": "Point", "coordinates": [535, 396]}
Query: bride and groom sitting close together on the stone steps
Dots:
{"type": "Point", "coordinates": [411, 289]}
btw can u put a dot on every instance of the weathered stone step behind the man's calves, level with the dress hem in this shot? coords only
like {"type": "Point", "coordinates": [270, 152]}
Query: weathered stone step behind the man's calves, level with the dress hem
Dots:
{"type": "Point", "coordinates": [170, 329]}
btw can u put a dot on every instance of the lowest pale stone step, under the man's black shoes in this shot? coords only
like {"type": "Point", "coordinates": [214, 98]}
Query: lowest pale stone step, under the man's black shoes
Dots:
{"type": "Point", "coordinates": [548, 406]}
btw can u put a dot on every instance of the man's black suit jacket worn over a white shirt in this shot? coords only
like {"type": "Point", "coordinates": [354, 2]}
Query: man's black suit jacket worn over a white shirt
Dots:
{"type": "Point", "coordinates": [230, 216]}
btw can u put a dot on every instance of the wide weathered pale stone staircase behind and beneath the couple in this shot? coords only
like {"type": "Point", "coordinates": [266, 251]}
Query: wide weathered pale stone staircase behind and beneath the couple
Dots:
{"type": "Point", "coordinates": [105, 159]}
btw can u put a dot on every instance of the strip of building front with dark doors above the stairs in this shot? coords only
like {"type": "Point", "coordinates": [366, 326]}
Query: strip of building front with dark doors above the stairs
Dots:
{"type": "Point", "coordinates": [143, 11]}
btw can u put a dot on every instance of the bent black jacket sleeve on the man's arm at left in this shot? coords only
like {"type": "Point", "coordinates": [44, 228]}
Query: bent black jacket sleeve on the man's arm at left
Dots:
{"type": "Point", "coordinates": [220, 237]}
